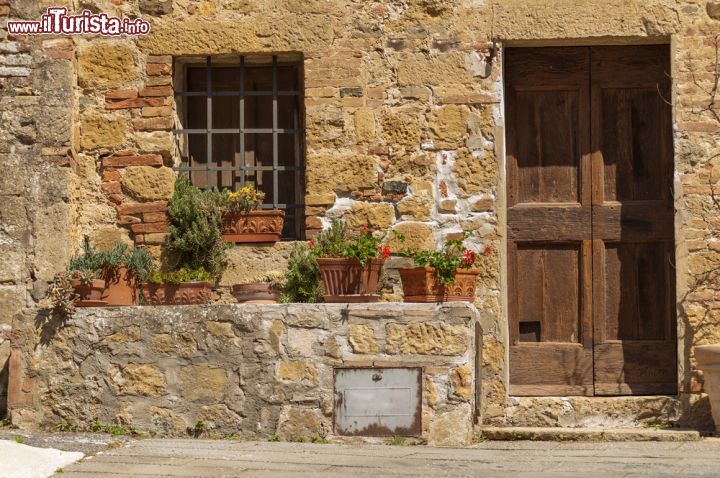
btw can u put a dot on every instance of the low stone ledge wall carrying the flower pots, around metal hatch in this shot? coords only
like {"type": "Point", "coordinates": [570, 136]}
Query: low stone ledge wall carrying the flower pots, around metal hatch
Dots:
{"type": "Point", "coordinates": [245, 369]}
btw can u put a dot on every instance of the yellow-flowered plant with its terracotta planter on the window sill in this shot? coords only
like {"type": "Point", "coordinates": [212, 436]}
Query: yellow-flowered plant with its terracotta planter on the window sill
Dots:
{"type": "Point", "coordinates": [244, 222]}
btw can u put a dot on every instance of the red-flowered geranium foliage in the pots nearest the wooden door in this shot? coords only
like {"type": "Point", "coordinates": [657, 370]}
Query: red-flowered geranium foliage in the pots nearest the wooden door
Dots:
{"type": "Point", "coordinates": [447, 261]}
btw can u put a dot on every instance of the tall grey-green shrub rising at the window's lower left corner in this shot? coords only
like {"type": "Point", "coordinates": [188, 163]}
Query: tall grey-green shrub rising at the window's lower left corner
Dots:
{"type": "Point", "coordinates": [195, 240]}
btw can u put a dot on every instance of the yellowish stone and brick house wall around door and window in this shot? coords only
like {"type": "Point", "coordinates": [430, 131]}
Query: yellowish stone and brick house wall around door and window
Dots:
{"type": "Point", "coordinates": [400, 123]}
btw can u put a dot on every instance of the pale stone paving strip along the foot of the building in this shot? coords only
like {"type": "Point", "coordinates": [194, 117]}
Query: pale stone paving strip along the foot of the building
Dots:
{"type": "Point", "coordinates": [205, 458]}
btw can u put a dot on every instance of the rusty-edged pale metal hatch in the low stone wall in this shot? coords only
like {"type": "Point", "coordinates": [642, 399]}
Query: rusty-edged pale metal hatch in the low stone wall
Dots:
{"type": "Point", "coordinates": [378, 401]}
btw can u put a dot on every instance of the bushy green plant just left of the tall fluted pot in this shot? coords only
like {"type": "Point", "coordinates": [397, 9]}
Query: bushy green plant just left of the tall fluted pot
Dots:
{"type": "Point", "coordinates": [302, 278]}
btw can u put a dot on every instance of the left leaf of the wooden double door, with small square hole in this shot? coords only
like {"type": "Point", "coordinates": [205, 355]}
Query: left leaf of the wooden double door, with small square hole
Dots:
{"type": "Point", "coordinates": [549, 214]}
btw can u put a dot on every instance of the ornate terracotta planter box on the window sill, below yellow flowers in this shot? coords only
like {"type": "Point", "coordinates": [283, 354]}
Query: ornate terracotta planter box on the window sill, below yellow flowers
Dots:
{"type": "Point", "coordinates": [253, 226]}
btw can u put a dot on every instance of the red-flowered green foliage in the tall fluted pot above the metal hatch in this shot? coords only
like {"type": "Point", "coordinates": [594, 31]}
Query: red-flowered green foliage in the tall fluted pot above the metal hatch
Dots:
{"type": "Point", "coordinates": [338, 241]}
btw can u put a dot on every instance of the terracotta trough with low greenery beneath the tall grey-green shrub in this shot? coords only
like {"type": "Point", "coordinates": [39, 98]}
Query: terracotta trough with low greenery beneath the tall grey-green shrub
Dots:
{"type": "Point", "coordinates": [182, 287]}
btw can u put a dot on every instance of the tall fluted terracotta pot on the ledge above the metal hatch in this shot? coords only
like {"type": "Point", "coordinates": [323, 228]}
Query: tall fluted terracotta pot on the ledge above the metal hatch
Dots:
{"type": "Point", "coordinates": [345, 280]}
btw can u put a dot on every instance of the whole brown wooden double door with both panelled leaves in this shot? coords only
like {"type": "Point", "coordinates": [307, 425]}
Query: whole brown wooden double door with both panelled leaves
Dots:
{"type": "Point", "coordinates": [590, 221]}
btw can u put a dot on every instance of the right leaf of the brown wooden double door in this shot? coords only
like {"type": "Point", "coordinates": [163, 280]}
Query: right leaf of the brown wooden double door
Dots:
{"type": "Point", "coordinates": [632, 225]}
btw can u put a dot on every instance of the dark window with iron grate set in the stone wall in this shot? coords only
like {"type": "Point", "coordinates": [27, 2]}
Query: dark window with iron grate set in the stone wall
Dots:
{"type": "Point", "coordinates": [279, 194]}
